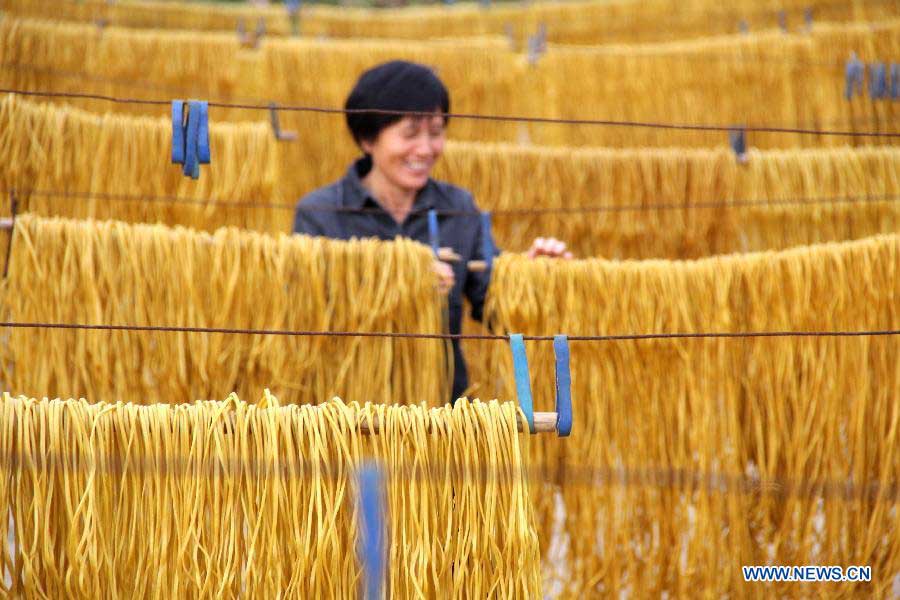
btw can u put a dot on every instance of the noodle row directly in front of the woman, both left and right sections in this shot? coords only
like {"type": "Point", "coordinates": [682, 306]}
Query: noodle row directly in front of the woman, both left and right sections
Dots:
{"type": "Point", "coordinates": [689, 458]}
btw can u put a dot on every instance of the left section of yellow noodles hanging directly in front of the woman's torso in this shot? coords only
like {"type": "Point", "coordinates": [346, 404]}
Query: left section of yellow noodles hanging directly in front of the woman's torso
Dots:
{"type": "Point", "coordinates": [69, 271]}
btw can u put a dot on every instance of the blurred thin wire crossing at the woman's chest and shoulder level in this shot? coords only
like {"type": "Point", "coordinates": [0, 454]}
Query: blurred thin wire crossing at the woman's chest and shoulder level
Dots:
{"type": "Point", "coordinates": [525, 211]}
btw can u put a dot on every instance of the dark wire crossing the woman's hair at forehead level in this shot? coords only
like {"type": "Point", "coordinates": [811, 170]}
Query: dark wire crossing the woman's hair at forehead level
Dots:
{"type": "Point", "coordinates": [500, 118]}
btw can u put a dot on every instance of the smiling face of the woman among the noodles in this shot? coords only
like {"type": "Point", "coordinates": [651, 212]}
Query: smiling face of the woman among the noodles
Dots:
{"type": "Point", "coordinates": [405, 152]}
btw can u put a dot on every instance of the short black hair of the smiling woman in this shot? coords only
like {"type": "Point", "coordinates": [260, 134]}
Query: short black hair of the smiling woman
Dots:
{"type": "Point", "coordinates": [396, 85]}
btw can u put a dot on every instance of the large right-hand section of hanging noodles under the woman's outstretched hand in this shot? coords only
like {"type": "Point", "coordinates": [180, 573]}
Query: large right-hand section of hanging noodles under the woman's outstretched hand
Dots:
{"type": "Point", "coordinates": [788, 409]}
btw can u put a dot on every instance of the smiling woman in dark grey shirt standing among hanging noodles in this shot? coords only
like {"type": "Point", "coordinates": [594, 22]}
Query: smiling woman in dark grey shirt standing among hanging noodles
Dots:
{"type": "Point", "coordinates": [392, 181]}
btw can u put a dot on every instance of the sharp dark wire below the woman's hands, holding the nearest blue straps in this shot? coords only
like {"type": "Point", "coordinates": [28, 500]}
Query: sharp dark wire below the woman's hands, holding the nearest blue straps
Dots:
{"type": "Point", "coordinates": [444, 336]}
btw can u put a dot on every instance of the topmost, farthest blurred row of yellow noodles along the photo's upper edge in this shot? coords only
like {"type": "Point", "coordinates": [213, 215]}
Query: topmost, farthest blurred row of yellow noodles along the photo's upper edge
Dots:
{"type": "Point", "coordinates": [582, 22]}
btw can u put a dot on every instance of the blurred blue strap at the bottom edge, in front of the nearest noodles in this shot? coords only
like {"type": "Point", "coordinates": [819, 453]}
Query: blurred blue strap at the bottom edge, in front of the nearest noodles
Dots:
{"type": "Point", "coordinates": [371, 539]}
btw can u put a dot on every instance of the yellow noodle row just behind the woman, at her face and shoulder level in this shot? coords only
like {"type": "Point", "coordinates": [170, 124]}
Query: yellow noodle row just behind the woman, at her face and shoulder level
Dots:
{"type": "Point", "coordinates": [622, 203]}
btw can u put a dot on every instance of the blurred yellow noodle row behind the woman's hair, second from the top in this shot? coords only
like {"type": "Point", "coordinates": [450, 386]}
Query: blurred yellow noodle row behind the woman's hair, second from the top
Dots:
{"type": "Point", "coordinates": [763, 79]}
